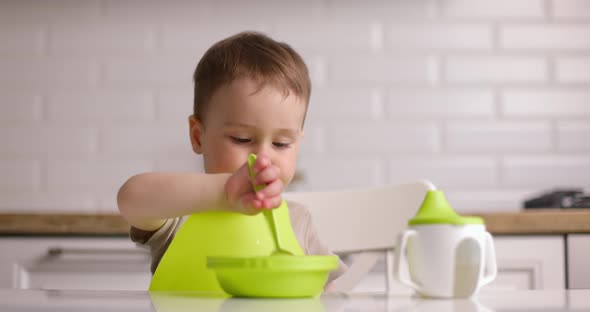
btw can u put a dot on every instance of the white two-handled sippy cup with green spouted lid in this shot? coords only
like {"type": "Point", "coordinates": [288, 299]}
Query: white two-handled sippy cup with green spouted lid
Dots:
{"type": "Point", "coordinates": [442, 254]}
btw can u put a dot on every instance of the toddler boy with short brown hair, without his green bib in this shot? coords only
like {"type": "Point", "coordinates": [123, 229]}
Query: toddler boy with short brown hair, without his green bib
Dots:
{"type": "Point", "coordinates": [250, 96]}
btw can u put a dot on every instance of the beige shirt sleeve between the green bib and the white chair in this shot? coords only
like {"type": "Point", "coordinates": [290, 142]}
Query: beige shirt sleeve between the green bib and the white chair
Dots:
{"type": "Point", "coordinates": [310, 240]}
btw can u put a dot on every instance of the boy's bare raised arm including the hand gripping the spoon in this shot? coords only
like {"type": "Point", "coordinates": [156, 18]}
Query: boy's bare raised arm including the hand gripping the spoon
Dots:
{"type": "Point", "coordinates": [147, 200]}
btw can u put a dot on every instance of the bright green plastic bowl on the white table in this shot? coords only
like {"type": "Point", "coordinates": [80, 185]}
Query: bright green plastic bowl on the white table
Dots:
{"type": "Point", "coordinates": [276, 276]}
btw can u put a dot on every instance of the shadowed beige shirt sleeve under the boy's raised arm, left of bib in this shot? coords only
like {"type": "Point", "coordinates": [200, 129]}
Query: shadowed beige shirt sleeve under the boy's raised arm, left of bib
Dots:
{"type": "Point", "coordinates": [156, 241]}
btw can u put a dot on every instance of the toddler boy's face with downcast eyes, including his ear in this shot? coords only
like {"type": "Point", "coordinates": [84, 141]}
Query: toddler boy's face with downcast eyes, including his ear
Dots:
{"type": "Point", "coordinates": [240, 121]}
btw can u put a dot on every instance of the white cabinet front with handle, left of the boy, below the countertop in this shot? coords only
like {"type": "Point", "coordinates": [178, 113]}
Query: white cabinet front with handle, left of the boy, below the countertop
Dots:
{"type": "Point", "coordinates": [73, 263]}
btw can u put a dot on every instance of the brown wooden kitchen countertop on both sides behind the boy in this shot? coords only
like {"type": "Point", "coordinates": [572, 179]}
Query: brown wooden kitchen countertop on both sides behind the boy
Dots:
{"type": "Point", "coordinates": [538, 221]}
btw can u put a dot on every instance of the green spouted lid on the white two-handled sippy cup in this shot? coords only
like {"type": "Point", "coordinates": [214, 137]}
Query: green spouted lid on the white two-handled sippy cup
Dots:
{"type": "Point", "coordinates": [436, 210]}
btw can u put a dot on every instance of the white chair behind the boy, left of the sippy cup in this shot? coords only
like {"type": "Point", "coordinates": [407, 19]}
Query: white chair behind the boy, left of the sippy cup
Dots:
{"type": "Point", "coordinates": [364, 222]}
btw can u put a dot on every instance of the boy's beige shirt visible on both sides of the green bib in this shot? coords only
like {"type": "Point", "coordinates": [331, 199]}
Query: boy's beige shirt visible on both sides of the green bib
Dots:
{"type": "Point", "coordinates": [301, 221]}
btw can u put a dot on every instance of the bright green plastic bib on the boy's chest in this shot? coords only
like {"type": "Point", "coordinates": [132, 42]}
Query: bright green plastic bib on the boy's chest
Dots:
{"type": "Point", "coordinates": [184, 265]}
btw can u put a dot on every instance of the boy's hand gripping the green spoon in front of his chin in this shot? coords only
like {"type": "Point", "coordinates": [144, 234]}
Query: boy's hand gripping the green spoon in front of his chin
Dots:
{"type": "Point", "coordinates": [239, 189]}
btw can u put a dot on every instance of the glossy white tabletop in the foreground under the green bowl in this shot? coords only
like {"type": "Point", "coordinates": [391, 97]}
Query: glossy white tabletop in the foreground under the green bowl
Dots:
{"type": "Point", "coordinates": [89, 301]}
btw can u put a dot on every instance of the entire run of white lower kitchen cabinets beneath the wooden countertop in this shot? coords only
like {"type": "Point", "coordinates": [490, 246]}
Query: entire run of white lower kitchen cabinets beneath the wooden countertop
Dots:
{"type": "Point", "coordinates": [524, 262]}
